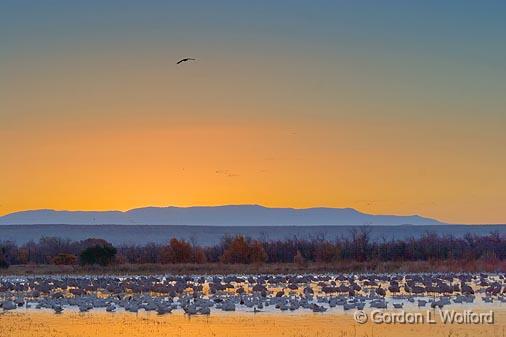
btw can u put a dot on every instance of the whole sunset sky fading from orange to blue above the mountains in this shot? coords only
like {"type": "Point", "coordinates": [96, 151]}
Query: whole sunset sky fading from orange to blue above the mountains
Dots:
{"type": "Point", "coordinates": [391, 107]}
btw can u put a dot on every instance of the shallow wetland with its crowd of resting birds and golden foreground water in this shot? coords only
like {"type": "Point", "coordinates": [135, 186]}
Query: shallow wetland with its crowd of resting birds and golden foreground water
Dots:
{"type": "Point", "coordinates": [253, 305]}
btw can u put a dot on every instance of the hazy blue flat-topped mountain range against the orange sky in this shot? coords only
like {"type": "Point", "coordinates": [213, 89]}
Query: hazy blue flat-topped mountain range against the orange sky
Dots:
{"type": "Point", "coordinates": [229, 215]}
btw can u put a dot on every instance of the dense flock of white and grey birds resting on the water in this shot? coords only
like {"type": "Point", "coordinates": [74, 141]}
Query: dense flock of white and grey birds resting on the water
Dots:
{"type": "Point", "coordinates": [256, 293]}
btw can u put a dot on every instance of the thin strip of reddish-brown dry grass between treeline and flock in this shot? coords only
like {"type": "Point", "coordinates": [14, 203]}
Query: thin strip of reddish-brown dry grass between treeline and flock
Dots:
{"type": "Point", "coordinates": [271, 268]}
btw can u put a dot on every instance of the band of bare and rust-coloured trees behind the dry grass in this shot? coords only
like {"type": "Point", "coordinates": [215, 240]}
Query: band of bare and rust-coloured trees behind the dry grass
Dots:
{"type": "Point", "coordinates": [241, 250]}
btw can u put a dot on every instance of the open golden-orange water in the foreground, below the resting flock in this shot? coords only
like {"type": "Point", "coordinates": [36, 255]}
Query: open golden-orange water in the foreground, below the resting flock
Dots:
{"type": "Point", "coordinates": [100, 324]}
